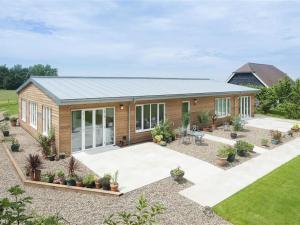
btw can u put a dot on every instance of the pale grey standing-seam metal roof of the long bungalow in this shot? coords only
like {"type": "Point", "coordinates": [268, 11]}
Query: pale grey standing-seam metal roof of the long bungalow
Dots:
{"type": "Point", "coordinates": [71, 90]}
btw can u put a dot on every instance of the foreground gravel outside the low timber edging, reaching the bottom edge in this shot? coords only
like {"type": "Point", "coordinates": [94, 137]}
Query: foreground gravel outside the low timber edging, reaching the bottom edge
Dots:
{"type": "Point", "coordinates": [89, 209]}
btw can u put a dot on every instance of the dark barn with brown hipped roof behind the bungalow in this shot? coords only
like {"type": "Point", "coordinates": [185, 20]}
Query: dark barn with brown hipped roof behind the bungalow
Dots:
{"type": "Point", "coordinates": [256, 74]}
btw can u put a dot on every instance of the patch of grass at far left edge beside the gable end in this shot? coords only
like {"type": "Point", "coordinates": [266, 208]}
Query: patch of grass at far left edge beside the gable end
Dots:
{"type": "Point", "coordinates": [8, 101]}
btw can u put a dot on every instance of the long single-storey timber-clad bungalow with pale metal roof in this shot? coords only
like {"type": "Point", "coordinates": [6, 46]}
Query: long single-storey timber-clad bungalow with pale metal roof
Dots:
{"type": "Point", "coordinates": [91, 112]}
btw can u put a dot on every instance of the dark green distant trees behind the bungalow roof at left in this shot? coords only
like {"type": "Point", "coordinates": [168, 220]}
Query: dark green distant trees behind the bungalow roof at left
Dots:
{"type": "Point", "coordinates": [13, 77]}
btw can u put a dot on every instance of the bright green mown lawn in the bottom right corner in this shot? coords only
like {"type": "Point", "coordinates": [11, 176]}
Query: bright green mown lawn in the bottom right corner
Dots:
{"type": "Point", "coordinates": [272, 200]}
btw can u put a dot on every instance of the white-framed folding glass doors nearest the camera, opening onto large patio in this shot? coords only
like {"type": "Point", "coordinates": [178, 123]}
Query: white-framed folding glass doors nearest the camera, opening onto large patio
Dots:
{"type": "Point", "coordinates": [93, 128]}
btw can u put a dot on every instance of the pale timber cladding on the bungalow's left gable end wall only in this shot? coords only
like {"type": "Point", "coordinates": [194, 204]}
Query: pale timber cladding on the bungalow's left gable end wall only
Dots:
{"type": "Point", "coordinates": [33, 94]}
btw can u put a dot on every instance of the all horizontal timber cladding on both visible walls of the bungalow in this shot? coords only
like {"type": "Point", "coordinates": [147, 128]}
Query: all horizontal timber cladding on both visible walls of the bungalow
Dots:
{"type": "Point", "coordinates": [61, 116]}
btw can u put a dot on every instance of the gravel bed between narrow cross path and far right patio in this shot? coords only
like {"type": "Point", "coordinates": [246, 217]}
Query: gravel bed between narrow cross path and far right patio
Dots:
{"type": "Point", "coordinates": [254, 136]}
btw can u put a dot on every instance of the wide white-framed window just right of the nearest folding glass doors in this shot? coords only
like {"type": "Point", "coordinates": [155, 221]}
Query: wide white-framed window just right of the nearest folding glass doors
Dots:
{"type": "Point", "coordinates": [148, 116]}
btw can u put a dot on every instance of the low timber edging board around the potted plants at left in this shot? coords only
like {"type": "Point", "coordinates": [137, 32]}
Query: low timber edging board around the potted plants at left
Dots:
{"type": "Point", "coordinates": [40, 184]}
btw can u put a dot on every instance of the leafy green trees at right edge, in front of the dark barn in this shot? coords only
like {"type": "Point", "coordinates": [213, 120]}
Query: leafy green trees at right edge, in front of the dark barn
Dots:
{"type": "Point", "coordinates": [282, 98]}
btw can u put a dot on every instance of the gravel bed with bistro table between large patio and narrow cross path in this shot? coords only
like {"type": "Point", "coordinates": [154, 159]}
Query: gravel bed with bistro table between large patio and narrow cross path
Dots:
{"type": "Point", "coordinates": [207, 151]}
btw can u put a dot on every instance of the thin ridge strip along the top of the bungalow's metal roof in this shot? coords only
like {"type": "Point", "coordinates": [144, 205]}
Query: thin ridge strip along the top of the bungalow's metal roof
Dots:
{"type": "Point", "coordinates": [119, 77]}
